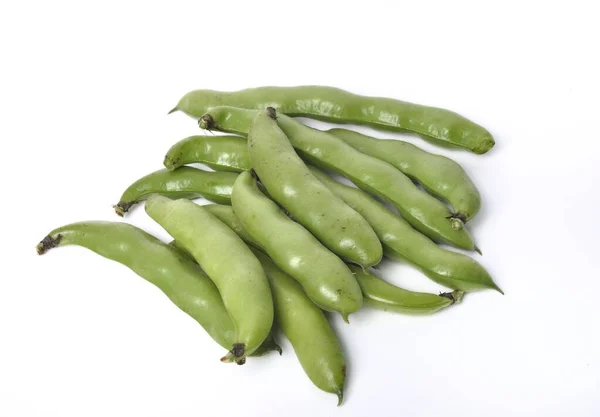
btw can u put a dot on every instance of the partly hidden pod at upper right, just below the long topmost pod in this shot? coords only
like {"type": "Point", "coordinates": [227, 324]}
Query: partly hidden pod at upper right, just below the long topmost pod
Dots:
{"type": "Point", "coordinates": [440, 176]}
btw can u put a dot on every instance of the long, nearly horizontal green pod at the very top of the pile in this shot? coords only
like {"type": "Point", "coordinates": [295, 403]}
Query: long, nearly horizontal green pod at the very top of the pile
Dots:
{"type": "Point", "coordinates": [338, 106]}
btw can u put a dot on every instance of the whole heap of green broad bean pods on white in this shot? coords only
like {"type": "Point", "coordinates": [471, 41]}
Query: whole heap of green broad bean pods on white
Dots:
{"type": "Point", "coordinates": [284, 240]}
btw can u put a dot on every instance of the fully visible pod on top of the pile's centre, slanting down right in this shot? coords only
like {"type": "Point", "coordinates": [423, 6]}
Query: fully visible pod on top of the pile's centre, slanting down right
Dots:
{"type": "Point", "coordinates": [290, 183]}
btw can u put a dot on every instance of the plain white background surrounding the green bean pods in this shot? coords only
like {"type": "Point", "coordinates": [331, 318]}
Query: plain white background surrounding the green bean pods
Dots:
{"type": "Point", "coordinates": [85, 88]}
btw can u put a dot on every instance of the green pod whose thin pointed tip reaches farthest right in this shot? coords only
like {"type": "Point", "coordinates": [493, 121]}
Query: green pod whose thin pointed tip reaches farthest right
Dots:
{"type": "Point", "coordinates": [400, 241]}
